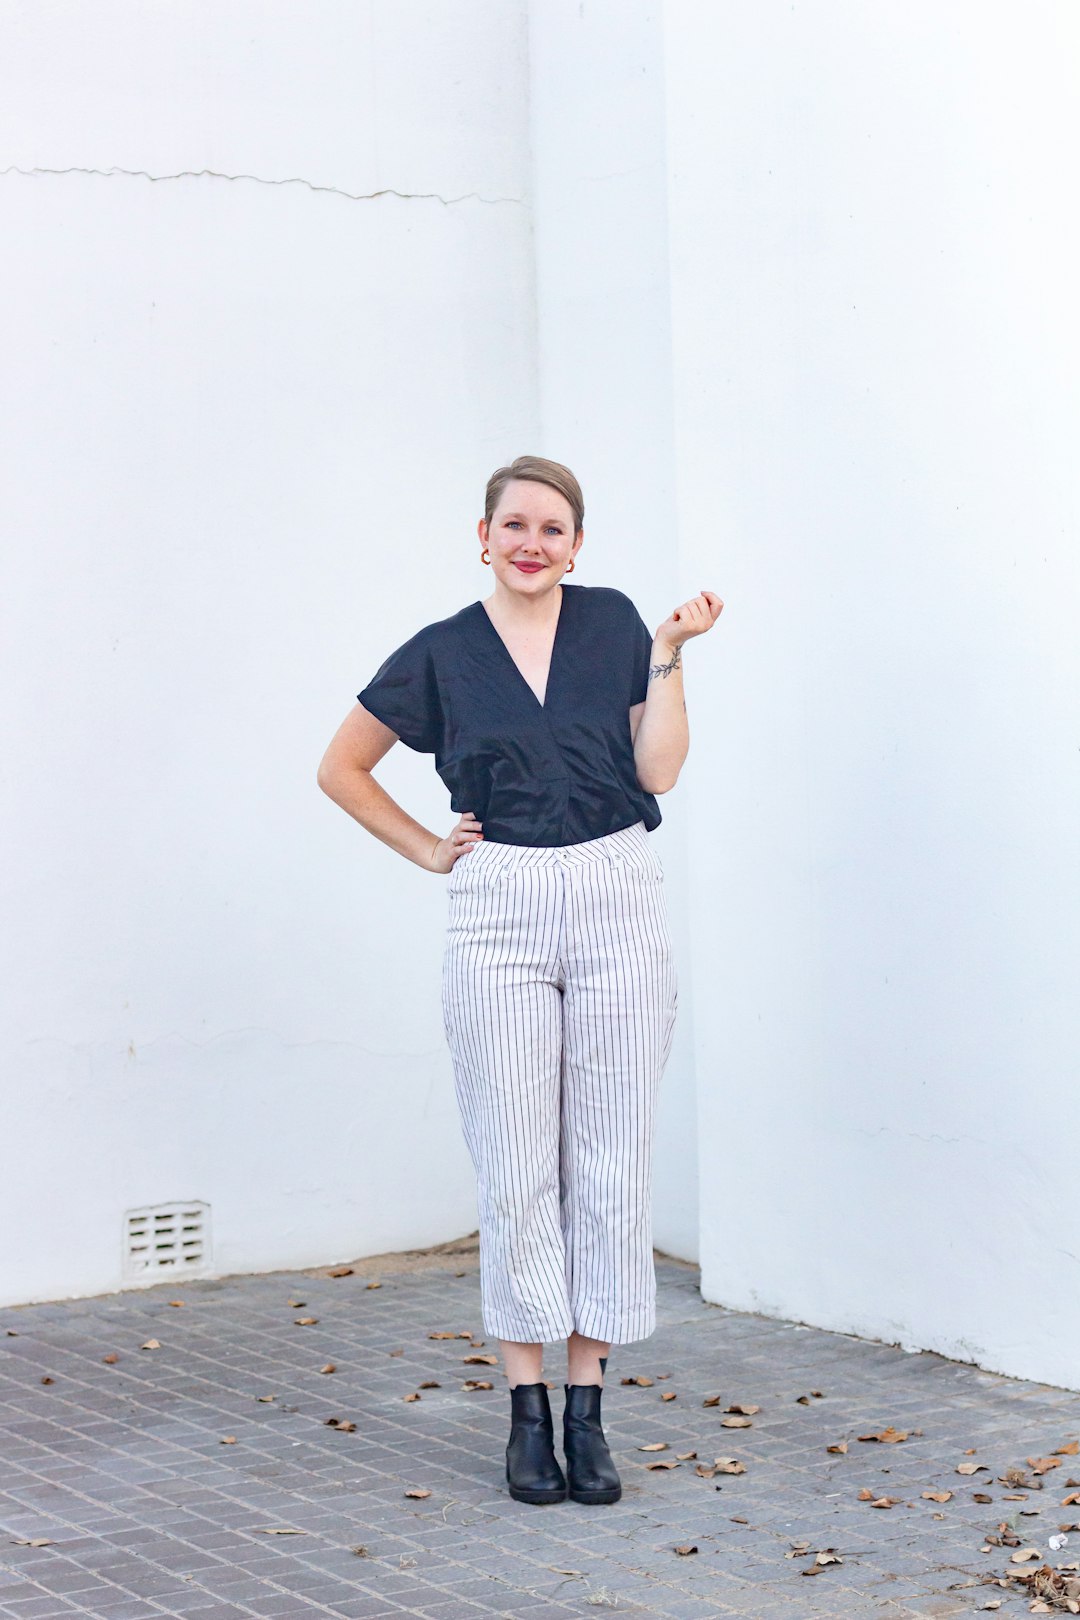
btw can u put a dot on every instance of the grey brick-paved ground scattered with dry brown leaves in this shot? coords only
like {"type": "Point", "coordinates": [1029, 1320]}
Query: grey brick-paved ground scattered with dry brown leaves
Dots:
{"type": "Point", "coordinates": [122, 1467]}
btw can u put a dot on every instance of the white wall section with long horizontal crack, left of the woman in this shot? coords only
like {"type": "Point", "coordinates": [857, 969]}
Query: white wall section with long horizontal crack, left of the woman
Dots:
{"type": "Point", "coordinates": [249, 422]}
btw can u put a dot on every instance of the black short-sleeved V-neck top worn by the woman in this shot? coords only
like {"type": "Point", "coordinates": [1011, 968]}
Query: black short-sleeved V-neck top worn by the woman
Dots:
{"type": "Point", "coordinates": [546, 774]}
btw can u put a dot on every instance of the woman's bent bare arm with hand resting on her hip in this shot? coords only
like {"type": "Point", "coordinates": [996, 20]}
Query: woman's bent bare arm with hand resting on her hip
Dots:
{"type": "Point", "coordinates": [346, 777]}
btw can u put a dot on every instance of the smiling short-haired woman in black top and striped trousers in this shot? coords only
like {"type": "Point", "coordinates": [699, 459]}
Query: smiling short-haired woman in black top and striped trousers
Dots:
{"type": "Point", "coordinates": [555, 717]}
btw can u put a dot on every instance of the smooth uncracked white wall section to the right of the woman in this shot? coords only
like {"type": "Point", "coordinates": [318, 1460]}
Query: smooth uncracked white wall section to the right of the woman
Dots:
{"type": "Point", "coordinates": [875, 354]}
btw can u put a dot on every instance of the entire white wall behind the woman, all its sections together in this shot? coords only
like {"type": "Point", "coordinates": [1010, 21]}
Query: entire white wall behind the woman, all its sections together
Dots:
{"type": "Point", "coordinates": [791, 289]}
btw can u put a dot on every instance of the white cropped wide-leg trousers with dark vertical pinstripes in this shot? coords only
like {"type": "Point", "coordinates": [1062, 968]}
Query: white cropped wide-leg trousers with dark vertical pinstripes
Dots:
{"type": "Point", "coordinates": [559, 1002]}
